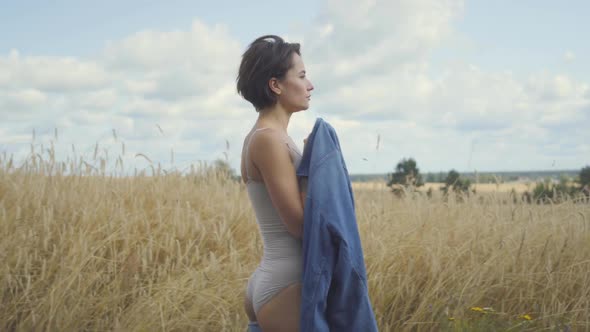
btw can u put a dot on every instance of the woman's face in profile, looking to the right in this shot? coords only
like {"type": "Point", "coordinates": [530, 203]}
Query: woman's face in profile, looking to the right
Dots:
{"type": "Point", "coordinates": [295, 87]}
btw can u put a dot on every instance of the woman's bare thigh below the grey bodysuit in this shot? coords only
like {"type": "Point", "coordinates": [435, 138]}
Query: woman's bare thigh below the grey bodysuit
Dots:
{"type": "Point", "coordinates": [281, 313]}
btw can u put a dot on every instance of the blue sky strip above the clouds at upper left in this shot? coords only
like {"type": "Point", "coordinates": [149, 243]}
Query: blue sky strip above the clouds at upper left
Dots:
{"type": "Point", "coordinates": [82, 28]}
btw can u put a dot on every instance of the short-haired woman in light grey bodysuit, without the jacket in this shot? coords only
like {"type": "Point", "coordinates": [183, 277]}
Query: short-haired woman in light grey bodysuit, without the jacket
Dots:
{"type": "Point", "coordinates": [272, 78]}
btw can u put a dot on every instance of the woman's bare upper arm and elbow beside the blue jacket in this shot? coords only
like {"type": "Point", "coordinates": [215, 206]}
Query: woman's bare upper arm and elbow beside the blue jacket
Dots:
{"type": "Point", "coordinates": [273, 161]}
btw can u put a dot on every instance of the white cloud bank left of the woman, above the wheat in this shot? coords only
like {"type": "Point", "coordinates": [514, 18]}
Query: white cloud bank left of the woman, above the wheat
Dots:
{"type": "Point", "coordinates": [181, 80]}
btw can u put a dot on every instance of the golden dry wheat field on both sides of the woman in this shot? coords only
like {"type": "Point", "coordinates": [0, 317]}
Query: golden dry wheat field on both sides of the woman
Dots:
{"type": "Point", "coordinates": [172, 252]}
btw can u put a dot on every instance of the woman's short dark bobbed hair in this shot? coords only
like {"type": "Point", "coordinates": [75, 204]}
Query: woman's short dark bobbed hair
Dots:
{"type": "Point", "coordinates": [267, 57]}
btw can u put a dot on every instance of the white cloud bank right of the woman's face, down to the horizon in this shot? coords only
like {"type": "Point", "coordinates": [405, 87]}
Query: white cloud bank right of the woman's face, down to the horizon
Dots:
{"type": "Point", "coordinates": [369, 62]}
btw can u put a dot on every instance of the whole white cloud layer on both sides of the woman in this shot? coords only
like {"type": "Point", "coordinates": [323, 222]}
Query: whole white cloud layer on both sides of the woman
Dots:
{"type": "Point", "coordinates": [370, 64]}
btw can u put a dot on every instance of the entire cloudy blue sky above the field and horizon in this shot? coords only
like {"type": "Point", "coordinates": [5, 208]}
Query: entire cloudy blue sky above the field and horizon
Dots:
{"type": "Point", "coordinates": [465, 85]}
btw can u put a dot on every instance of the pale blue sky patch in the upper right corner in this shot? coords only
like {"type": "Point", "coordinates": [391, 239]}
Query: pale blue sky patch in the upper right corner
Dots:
{"type": "Point", "coordinates": [525, 36]}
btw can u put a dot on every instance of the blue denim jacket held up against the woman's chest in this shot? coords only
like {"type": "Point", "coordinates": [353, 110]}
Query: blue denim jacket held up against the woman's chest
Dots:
{"type": "Point", "coordinates": [335, 295]}
